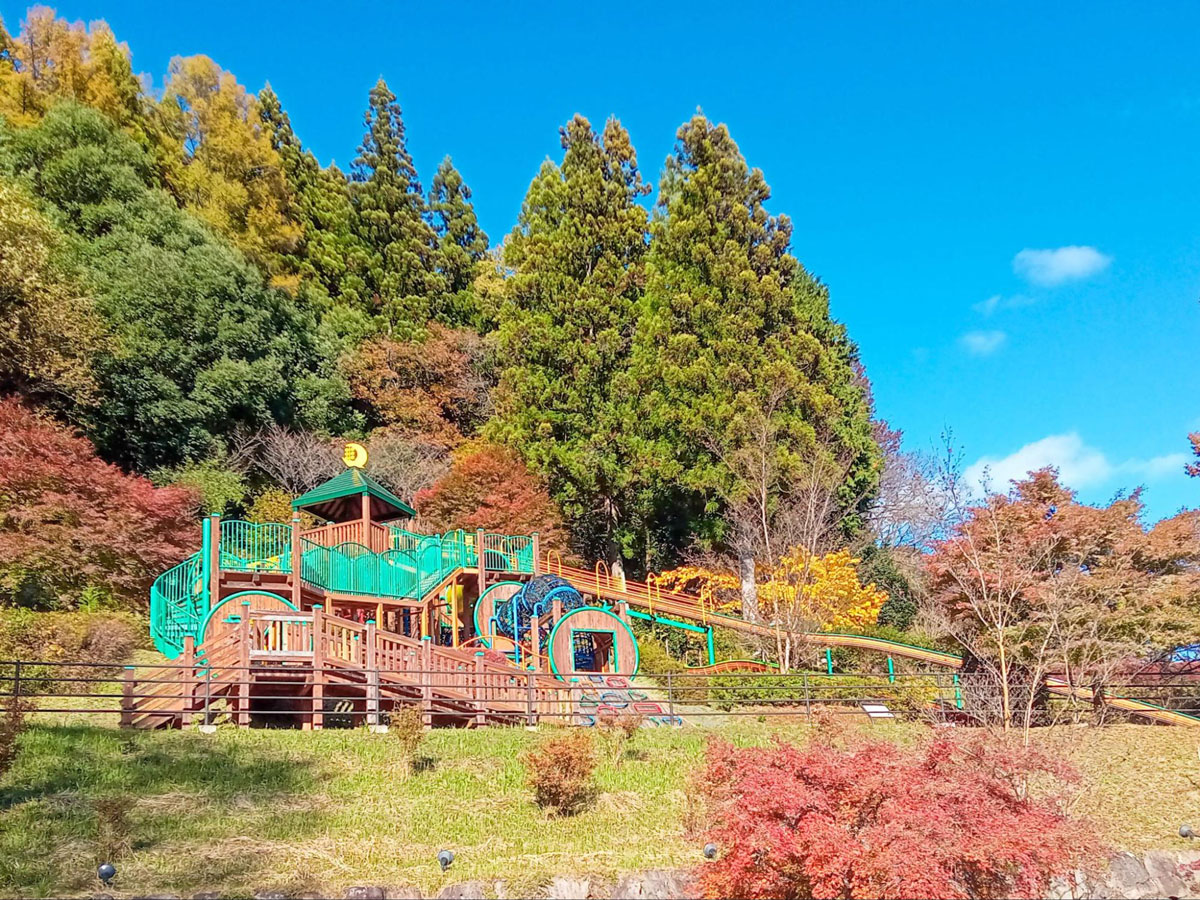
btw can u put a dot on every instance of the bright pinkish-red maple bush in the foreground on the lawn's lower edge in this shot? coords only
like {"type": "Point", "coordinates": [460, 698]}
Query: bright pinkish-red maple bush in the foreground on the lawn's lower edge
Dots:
{"type": "Point", "coordinates": [952, 819]}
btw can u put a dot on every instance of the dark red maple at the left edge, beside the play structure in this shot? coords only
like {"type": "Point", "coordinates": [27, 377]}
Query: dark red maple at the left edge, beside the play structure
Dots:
{"type": "Point", "coordinates": [70, 521]}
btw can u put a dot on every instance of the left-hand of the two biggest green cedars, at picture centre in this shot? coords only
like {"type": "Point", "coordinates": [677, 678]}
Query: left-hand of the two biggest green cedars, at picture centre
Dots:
{"type": "Point", "coordinates": [567, 327]}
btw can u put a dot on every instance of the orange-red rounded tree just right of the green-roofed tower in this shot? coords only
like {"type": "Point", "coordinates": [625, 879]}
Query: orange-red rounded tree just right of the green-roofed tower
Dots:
{"type": "Point", "coordinates": [490, 488]}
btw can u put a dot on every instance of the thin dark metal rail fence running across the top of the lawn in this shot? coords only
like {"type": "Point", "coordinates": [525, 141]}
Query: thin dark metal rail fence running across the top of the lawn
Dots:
{"type": "Point", "coordinates": [333, 695]}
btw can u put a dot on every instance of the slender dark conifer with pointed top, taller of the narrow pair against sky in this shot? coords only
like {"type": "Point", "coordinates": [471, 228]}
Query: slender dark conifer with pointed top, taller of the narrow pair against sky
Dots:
{"type": "Point", "coordinates": [391, 219]}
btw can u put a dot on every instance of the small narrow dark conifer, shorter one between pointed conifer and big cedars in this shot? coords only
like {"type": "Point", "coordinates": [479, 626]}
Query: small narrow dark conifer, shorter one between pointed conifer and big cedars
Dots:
{"type": "Point", "coordinates": [463, 244]}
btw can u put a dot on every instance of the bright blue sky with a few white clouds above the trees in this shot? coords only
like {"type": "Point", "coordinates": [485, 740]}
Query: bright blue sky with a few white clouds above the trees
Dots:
{"type": "Point", "coordinates": [1005, 201]}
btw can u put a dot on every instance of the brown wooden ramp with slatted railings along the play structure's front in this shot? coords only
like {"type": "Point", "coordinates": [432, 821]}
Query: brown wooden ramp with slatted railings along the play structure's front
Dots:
{"type": "Point", "coordinates": [319, 657]}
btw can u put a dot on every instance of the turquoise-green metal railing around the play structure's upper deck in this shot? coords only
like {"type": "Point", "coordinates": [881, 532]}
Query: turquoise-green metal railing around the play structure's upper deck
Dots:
{"type": "Point", "coordinates": [412, 568]}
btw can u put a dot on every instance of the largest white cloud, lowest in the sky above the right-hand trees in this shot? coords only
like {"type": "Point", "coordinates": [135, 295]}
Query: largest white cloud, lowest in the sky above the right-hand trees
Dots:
{"type": "Point", "coordinates": [1079, 465]}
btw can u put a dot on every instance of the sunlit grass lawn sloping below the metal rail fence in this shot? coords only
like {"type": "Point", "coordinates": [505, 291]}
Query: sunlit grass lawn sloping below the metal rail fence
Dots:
{"type": "Point", "coordinates": [244, 811]}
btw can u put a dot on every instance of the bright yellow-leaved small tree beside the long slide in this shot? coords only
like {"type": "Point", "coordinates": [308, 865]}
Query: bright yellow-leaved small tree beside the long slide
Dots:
{"type": "Point", "coordinates": [809, 592]}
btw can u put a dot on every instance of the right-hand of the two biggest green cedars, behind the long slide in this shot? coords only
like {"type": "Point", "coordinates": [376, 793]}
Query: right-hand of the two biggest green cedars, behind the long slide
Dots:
{"type": "Point", "coordinates": [734, 329]}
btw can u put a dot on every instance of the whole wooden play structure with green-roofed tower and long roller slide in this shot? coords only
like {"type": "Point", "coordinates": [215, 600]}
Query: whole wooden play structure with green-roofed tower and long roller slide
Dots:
{"type": "Point", "coordinates": [358, 615]}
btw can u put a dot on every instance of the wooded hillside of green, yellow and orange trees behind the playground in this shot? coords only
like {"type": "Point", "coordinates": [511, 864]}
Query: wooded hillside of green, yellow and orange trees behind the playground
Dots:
{"type": "Point", "coordinates": [641, 368]}
